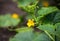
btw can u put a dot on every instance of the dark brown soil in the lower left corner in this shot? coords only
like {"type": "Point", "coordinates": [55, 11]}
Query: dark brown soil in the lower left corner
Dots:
{"type": "Point", "coordinates": [5, 34]}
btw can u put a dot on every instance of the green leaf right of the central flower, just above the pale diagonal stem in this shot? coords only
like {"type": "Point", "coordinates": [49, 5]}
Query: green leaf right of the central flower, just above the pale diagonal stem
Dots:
{"type": "Point", "coordinates": [47, 27]}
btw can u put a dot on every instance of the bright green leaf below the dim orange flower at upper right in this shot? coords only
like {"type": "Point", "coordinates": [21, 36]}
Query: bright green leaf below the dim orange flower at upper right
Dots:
{"type": "Point", "coordinates": [46, 10]}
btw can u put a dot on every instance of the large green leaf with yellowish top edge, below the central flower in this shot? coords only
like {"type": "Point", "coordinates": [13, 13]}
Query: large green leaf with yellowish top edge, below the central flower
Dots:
{"type": "Point", "coordinates": [25, 34]}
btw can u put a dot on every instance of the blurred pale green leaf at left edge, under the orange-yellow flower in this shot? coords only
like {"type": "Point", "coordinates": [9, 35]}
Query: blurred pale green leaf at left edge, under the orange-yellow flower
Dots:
{"type": "Point", "coordinates": [7, 20]}
